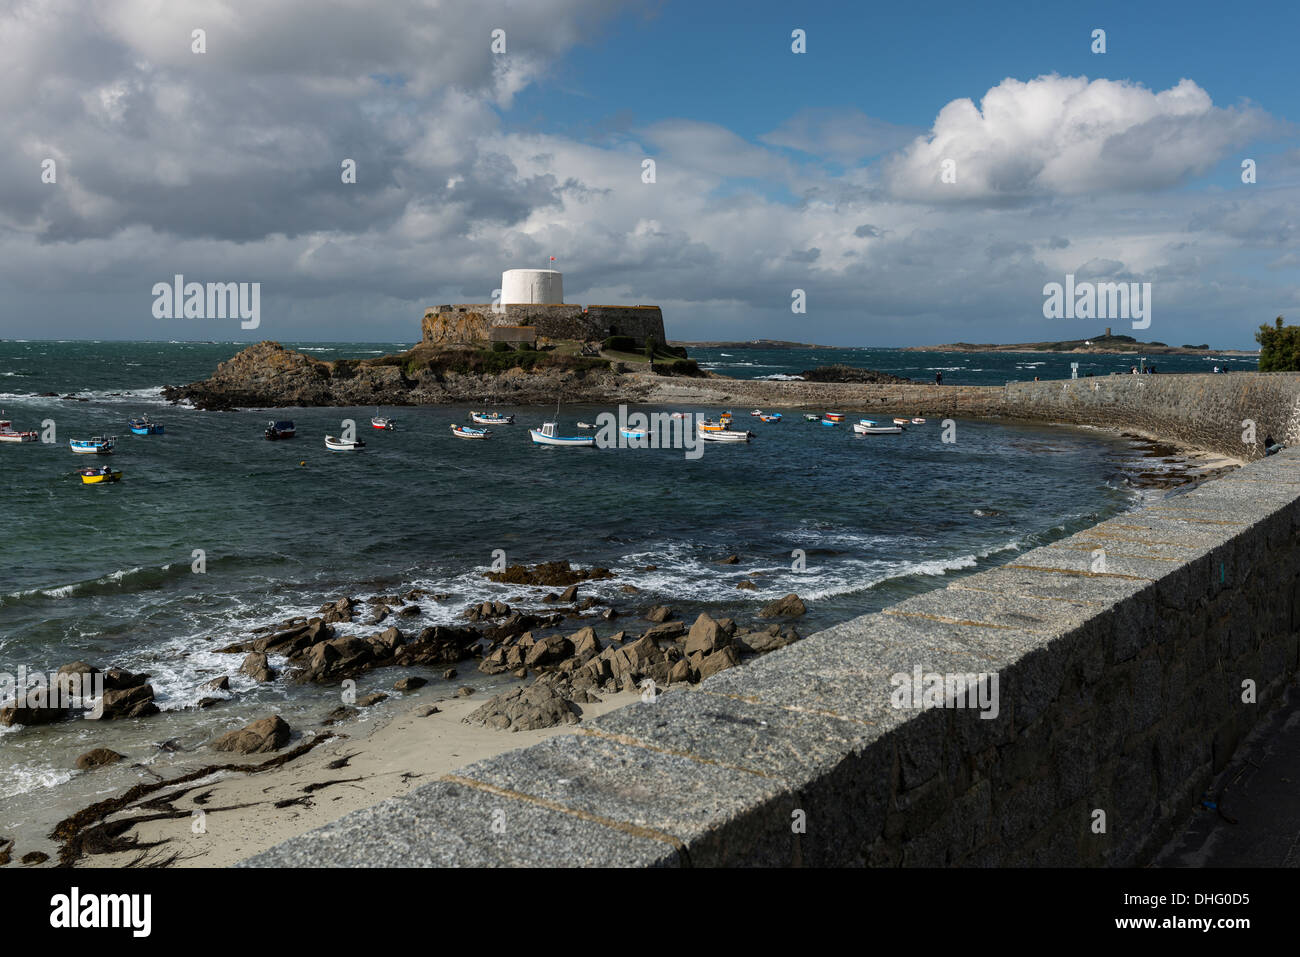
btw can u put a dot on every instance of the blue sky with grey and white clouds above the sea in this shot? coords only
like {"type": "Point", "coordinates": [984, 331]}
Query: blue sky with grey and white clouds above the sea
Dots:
{"type": "Point", "coordinates": [921, 172]}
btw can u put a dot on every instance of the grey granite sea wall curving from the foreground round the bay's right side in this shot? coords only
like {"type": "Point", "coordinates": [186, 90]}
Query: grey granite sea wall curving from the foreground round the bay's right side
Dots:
{"type": "Point", "coordinates": [1112, 674]}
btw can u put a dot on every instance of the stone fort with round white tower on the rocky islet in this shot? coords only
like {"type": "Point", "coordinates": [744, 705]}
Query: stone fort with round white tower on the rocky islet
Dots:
{"type": "Point", "coordinates": [532, 310]}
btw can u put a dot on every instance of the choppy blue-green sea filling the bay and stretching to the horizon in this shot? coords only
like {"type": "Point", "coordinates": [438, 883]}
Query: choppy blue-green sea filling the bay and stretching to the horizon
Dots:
{"type": "Point", "coordinates": [215, 532]}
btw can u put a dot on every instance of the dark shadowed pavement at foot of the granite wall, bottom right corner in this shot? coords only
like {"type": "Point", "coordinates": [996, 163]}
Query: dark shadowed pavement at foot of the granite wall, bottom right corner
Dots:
{"type": "Point", "coordinates": [1262, 791]}
